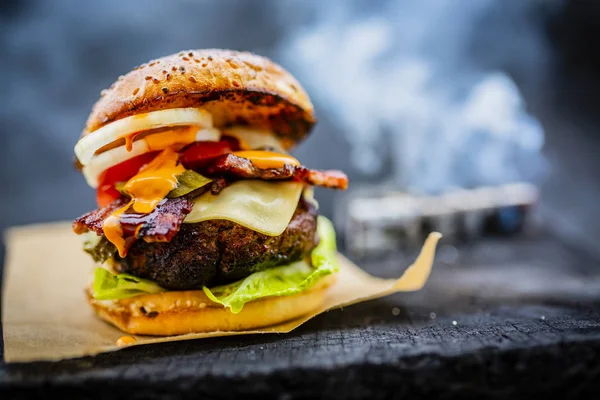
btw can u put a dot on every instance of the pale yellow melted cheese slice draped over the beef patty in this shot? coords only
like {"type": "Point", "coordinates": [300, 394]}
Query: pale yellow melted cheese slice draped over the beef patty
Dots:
{"type": "Point", "coordinates": [265, 207]}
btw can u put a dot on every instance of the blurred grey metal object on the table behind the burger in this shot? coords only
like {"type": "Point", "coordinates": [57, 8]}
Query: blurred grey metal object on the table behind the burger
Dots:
{"type": "Point", "coordinates": [376, 221]}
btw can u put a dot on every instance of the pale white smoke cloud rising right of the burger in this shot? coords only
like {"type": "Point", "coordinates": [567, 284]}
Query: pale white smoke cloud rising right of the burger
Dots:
{"type": "Point", "coordinates": [411, 99]}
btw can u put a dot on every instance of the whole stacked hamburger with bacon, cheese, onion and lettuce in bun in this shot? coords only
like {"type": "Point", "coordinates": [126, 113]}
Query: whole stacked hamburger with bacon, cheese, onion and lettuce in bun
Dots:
{"type": "Point", "coordinates": [205, 221]}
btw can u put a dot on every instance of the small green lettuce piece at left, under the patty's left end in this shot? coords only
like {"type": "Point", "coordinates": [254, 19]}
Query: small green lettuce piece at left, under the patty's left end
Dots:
{"type": "Point", "coordinates": [110, 287]}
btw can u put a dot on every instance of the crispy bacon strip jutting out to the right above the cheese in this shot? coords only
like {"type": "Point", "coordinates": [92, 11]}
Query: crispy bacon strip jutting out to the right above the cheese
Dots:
{"type": "Point", "coordinates": [238, 167]}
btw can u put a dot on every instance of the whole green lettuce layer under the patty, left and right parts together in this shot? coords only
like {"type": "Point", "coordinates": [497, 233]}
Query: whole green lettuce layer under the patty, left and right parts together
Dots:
{"type": "Point", "coordinates": [279, 281]}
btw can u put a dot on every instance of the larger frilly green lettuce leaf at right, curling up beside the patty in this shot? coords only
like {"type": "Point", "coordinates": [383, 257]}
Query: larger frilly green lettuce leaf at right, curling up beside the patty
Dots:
{"type": "Point", "coordinates": [285, 280]}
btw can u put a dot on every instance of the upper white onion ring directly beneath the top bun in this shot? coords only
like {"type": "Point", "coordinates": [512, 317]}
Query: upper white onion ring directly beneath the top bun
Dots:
{"type": "Point", "coordinates": [87, 146]}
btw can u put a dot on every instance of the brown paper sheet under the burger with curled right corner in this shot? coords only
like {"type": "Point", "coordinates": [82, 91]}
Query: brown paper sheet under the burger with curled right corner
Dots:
{"type": "Point", "coordinates": [45, 315]}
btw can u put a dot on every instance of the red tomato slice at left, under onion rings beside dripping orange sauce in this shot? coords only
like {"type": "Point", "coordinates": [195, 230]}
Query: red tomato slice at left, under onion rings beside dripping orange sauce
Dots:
{"type": "Point", "coordinates": [106, 192]}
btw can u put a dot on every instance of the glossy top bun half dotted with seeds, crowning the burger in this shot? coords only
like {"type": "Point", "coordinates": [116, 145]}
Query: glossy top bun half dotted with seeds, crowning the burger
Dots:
{"type": "Point", "coordinates": [236, 87]}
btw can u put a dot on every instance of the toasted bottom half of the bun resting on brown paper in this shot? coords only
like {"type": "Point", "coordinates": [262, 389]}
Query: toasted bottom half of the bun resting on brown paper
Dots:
{"type": "Point", "coordinates": [181, 312]}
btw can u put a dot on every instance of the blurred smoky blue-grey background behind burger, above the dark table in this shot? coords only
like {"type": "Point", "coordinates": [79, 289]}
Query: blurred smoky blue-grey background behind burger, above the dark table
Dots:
{"type": "Point", "coordinates": [416, 101]}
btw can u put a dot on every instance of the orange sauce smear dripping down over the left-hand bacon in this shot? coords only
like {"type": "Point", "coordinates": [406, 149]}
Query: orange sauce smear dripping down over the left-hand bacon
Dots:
{"type": "Point", "coordinates": [154, 181]}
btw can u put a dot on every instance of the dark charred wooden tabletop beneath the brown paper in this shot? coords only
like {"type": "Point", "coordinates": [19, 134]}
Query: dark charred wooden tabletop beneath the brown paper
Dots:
{"type": "Point", "coordinates": [517, 334]}
